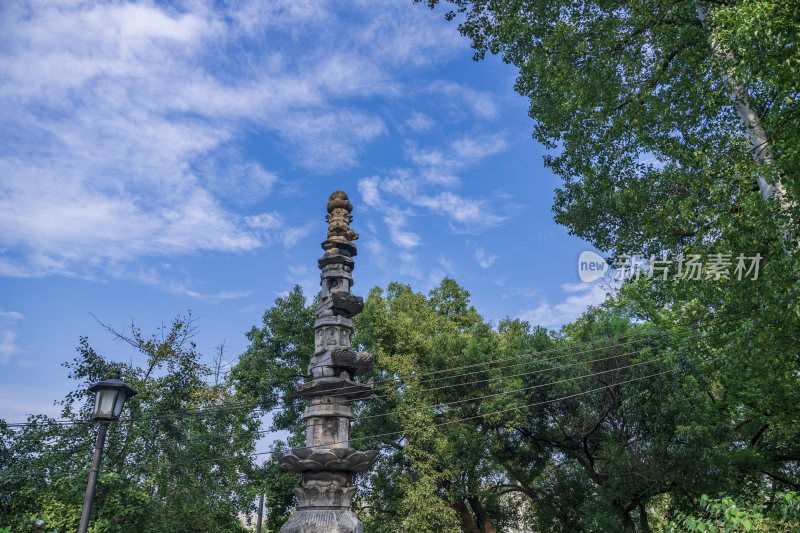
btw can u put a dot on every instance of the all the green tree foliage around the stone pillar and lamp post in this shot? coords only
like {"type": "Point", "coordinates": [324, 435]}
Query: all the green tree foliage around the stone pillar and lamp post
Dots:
{"type": "Point", "coordinates": [674, 407]}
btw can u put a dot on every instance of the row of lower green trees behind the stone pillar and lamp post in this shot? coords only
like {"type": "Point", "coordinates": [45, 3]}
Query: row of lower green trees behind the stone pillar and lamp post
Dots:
{"type": "Point", "coordinates": [610, 423]}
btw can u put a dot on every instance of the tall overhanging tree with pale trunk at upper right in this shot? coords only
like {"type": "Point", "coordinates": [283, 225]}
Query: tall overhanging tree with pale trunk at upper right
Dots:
{"type": "Point", "coordinates": [642, 104]}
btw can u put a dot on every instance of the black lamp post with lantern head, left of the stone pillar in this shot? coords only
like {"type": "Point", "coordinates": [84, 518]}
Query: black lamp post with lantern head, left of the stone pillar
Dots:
{"type": "Point", "coordinates": [110, 396]}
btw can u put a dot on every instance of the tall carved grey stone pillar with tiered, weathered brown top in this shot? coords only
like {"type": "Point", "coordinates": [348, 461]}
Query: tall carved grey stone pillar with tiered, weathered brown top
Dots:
{"type": "Point", "coordinates": [328, 462]}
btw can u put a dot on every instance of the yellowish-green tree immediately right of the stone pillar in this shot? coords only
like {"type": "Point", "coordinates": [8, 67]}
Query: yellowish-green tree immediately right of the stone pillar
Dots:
{"type": "Point", "coordinates": [411, 333]}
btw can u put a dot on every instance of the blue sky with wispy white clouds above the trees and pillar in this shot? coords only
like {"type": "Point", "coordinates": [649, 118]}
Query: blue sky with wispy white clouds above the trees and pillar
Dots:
{"type": "Point", "coordinates": [156, 158]}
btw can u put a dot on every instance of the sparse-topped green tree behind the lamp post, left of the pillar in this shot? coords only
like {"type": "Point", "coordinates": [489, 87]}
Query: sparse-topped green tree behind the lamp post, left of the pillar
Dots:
{"type": "Point", "coordinates": [175, 462]}
